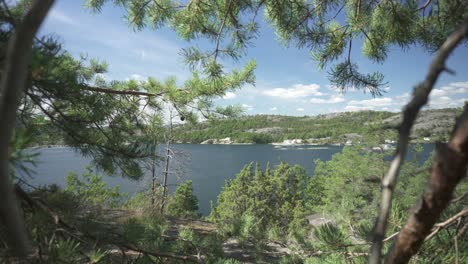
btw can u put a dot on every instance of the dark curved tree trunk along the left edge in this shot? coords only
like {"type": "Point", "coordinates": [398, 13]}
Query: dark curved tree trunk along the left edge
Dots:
{"type": "Point", "coordinates": [11, 89]}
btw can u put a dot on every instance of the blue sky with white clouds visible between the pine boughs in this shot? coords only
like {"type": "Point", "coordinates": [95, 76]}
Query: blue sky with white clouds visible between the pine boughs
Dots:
{"type": "Point", "coordinates": [288, 81]}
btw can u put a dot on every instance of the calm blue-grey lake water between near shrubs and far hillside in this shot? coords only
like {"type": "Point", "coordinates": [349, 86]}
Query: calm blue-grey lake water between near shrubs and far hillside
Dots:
{"type": "Point", "coordinates": [208, 166]}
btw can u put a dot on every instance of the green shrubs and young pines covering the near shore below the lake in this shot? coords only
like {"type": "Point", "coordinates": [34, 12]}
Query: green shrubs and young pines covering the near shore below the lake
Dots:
{"type": "Point", "coordinates": [325, 218]}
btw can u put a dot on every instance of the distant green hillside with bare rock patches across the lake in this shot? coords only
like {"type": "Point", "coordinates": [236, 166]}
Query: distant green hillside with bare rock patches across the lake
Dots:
{"type": "Point", "coordinates": [329, 128]}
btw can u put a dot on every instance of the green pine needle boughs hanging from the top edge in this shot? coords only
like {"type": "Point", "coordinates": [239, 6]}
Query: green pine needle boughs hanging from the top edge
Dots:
{"type": "Point", "coordinates": [327, 28]}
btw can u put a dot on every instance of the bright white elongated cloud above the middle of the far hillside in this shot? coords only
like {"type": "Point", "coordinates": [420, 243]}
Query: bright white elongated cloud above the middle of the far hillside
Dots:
{"type": "Point", "coordinates": [296, 91]}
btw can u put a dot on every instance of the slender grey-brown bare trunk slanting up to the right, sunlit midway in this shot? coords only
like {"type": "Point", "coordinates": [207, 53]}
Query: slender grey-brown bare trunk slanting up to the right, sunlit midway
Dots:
{"type": "Point", "coordinates": [420, 98]}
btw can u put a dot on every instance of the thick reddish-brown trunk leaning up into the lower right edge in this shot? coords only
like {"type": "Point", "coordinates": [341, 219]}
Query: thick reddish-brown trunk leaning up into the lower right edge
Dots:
{"type": "Point", "coordinates": [448, 168]}
